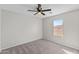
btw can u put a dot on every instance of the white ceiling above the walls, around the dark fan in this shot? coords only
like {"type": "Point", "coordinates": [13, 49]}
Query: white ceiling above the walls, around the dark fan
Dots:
{"type": "Point", "coordinates": [56, 8]}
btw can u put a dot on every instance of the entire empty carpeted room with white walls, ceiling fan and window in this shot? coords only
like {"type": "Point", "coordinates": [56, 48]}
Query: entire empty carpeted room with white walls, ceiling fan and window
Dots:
{"type": "Point", "coordinates": [39, 28]}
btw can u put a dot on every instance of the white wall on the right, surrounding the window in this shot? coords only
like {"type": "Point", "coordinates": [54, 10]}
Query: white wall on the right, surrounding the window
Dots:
{"type": "Point", "coordinates": [71, 29]}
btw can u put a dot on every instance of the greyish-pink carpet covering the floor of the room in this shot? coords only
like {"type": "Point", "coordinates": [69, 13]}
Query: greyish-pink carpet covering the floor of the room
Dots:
{"type": "Point", "coordinates": [40, 47]}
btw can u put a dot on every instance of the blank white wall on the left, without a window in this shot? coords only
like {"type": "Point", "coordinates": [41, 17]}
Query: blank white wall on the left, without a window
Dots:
{"type": "Point", "coordinates": [19, 29]}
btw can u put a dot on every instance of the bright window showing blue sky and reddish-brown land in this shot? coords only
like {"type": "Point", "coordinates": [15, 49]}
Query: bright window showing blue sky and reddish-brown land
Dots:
{"type": "Point", "coordinates": [58, 30]}
